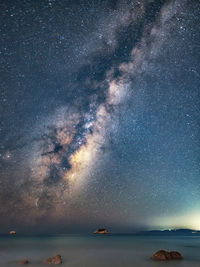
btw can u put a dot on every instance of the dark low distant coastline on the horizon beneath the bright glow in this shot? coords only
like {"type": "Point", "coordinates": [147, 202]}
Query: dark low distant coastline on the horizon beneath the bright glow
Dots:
{"type": "Point", "coordinates": [170, 232]}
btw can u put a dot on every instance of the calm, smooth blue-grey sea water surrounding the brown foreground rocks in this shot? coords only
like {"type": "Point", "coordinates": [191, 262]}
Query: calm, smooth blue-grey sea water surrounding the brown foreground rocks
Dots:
{"type": "Point", "coordinates": [99, 251]}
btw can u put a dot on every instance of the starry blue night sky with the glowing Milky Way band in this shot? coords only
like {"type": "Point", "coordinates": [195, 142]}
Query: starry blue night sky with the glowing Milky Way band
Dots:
{"type": "Point", "coordinates": [99, 115]}
